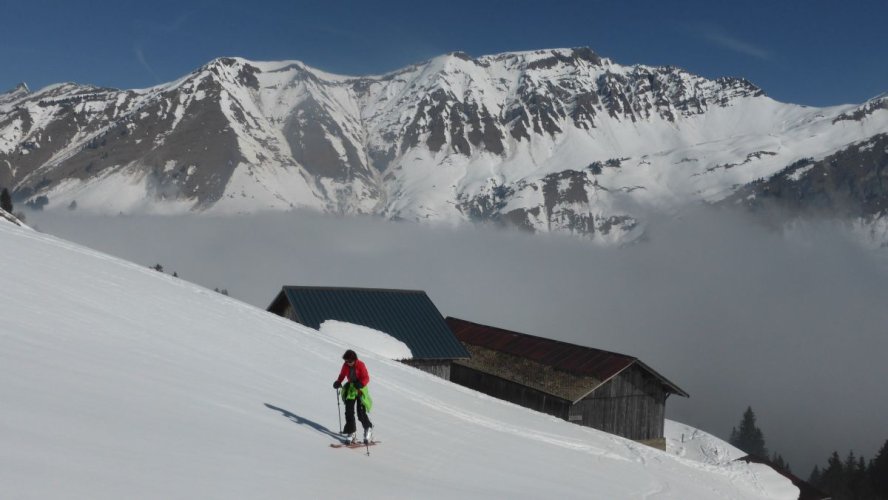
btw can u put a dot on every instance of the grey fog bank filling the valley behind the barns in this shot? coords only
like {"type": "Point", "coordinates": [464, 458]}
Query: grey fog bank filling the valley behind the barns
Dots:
{"type": "Point", "coordinates": [791, 322]}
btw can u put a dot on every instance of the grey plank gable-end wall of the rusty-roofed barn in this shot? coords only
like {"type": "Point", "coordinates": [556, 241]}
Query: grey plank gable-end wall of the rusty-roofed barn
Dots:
{"type": "Point", "coordinates": [632, 405]}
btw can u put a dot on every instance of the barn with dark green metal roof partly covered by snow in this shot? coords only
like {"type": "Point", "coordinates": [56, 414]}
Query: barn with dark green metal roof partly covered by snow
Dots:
{"type": "Point", "coordinates": [407, 315]}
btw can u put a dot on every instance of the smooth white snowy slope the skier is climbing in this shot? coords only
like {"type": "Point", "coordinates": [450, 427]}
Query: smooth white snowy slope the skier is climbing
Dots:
{"type": "Point", "coordinates": [121, 382]}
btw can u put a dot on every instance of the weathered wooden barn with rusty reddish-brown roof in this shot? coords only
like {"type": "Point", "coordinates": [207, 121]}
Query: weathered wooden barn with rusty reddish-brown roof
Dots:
{"type": "Point", "coordinates": [605, 390]}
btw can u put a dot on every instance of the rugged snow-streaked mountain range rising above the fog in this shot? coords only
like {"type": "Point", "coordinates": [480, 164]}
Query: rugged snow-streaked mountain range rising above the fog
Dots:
{"type": "Point", "coordinates": [551, 140]}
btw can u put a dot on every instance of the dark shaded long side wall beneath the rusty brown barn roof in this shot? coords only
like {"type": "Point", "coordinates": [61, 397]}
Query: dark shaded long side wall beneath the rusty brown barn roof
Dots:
{"type": "Point", "coordinates": [509, 391]}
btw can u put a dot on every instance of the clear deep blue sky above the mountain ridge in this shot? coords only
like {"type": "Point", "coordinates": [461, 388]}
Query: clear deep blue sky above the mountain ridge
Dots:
{"type": "Point", "coordinates": [811, 52]}
